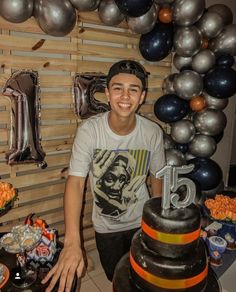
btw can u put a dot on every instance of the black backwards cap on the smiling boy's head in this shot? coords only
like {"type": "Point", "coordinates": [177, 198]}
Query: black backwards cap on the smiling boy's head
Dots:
{"type": "Point", "coordinates": [130, 67]}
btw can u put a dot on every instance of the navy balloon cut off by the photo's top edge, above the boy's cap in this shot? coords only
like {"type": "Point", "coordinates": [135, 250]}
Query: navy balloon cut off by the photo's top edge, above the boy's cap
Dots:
{"type": "Point", "coordinates": [134, 8]}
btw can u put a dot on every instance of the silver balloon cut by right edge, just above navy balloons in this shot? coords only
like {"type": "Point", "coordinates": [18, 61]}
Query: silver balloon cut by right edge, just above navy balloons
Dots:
{"type": "Point", "coordinates": [225, 42]}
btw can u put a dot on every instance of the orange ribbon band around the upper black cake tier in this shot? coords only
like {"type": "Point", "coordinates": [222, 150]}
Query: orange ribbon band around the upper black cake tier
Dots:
{"type": "Point", "coordinates": [169, 238]}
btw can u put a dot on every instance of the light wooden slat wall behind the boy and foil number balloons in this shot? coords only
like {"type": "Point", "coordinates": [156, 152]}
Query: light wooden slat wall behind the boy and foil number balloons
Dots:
{"type": "Point", "coordinates": [90, 47]}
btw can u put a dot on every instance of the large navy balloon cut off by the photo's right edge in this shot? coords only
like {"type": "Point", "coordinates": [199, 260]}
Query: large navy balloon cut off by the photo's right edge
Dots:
{"type": "Point", "coordinates": [220, 82]}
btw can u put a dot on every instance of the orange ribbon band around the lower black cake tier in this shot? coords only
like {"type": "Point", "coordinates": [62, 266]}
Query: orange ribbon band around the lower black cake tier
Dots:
{"type": "Point", "coordinates": [167, 283]}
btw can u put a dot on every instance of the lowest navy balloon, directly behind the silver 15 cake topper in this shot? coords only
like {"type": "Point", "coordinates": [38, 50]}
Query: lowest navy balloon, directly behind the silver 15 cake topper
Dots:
{"type": "Point", "coordinates": [206, 173]}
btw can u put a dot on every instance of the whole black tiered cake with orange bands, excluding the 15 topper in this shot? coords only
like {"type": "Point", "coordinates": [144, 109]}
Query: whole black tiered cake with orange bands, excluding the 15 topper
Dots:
{"type": "Point", "coordinates": [167, 253]}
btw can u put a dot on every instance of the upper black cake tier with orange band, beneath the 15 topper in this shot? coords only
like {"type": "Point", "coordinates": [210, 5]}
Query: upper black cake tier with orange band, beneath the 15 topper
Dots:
{"type": "Point", "coordinates": [171, 233]}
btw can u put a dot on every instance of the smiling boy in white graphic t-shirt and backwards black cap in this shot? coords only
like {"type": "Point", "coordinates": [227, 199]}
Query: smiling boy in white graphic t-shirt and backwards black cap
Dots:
{"type": "Point", "coordinates": [118, 149]}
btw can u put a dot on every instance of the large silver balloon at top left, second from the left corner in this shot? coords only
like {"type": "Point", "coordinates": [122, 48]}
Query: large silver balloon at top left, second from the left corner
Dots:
{"type": "Point", "coordinates": [55, 17]}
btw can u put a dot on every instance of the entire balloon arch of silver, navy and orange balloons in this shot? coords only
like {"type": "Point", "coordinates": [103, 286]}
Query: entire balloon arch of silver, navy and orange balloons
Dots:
{"type": "Point", "coordinates": [203, 40]}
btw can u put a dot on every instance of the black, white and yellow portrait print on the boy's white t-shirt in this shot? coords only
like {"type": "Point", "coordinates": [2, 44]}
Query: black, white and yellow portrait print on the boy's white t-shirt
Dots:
{"type": "Point", "coordinates": [118, 175]}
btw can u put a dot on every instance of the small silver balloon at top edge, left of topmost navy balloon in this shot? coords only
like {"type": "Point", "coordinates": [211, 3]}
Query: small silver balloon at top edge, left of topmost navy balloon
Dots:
{"type": "Point", "coordinates": [109, 13]}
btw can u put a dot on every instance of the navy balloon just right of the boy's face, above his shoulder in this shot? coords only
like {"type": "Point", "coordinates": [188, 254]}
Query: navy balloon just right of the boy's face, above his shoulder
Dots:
{"type": "Point", "coordinates": [170, 108]}
